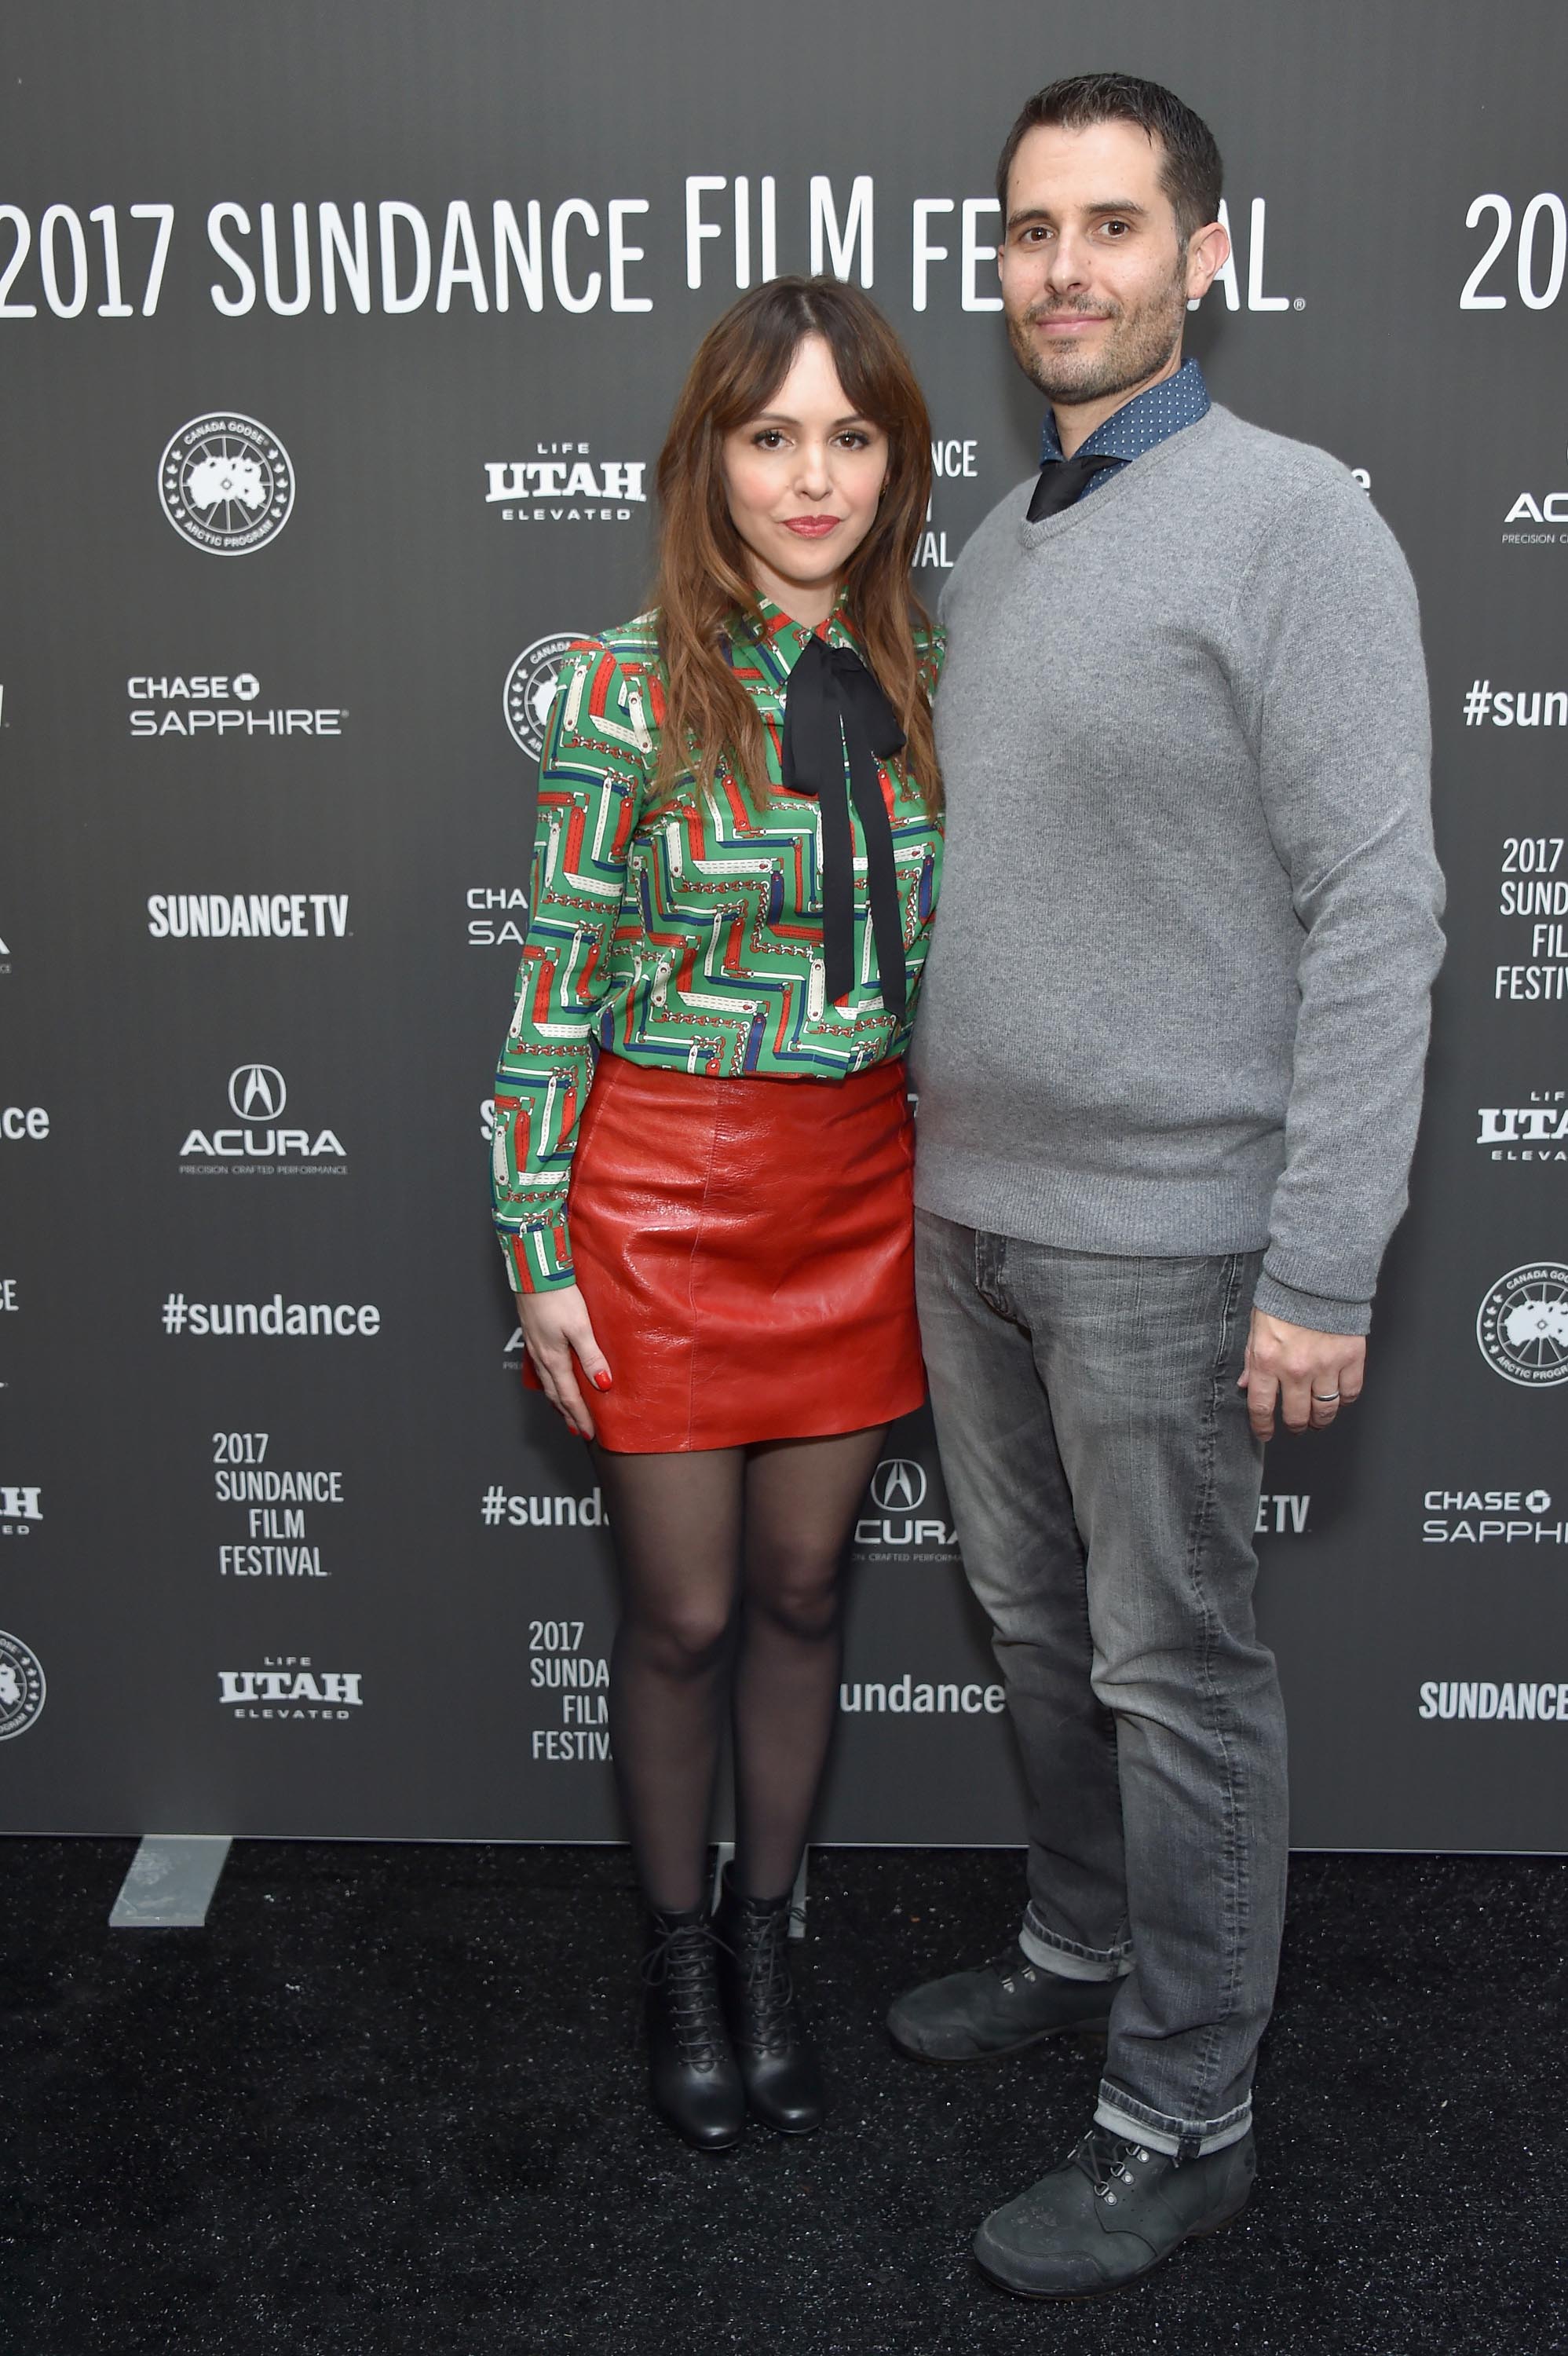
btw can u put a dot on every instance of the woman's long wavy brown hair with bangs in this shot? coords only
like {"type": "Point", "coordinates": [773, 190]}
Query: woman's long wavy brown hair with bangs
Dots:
{"type": "Point", "coordinates": [703, 564]}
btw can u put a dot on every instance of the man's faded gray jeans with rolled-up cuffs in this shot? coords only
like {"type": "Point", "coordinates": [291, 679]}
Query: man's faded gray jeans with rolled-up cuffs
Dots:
{"type": "Point", "coordinates": [1105, 1488]}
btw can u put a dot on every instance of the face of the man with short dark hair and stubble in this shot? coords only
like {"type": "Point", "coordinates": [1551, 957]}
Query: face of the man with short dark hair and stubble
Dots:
{"type": "Point", "coordinates": [1096, 274]}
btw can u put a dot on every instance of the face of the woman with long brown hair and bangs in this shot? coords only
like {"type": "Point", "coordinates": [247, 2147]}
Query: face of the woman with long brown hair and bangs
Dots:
{"type": "Point", "coordinates": [804, 479]}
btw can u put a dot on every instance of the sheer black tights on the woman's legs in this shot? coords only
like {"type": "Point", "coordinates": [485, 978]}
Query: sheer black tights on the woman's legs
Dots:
{"type": "Point", "coordinates": [731, 1589]}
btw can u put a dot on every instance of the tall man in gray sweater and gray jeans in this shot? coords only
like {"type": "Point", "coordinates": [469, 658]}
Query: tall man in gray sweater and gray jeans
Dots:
{"type": "Point", "coordinates": [1169, 1073]}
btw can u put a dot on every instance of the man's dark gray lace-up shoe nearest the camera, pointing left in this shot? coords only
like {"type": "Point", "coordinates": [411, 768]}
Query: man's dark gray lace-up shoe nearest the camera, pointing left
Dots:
{"type": "Point", "coordinates": [1108, 2213]}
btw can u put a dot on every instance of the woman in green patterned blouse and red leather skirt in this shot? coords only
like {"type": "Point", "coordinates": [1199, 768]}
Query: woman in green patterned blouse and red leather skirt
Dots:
{"type": "Point", "coordinates": [703, 1137]}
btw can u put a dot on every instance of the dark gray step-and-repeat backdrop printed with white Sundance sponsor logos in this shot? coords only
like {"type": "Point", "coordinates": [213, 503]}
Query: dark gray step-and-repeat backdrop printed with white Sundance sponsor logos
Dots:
{"type": "Point", "coordinates": [338, 345]}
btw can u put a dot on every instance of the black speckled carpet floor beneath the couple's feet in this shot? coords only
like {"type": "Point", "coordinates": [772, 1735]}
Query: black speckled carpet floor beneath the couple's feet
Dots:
{"type": "Point", "coordinates": [390, 2105]}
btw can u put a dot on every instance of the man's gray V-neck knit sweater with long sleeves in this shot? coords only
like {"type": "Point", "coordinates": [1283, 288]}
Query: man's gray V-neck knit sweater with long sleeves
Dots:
{"type": "Point", "coordinates": [1178, 993]}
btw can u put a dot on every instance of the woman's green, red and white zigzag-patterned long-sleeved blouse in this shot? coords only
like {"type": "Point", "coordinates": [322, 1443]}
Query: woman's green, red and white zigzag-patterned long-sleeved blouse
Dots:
{"type": "Point", "coordinates": [684, 937]}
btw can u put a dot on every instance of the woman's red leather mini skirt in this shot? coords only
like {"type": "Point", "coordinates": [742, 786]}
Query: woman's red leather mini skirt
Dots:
{"type": "Point", "coordinates": [745, 1250]}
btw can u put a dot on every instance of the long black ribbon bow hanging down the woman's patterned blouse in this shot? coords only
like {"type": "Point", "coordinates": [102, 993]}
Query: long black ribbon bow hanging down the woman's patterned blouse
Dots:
{"type": "Point", "coordinates": [835, 703]}
